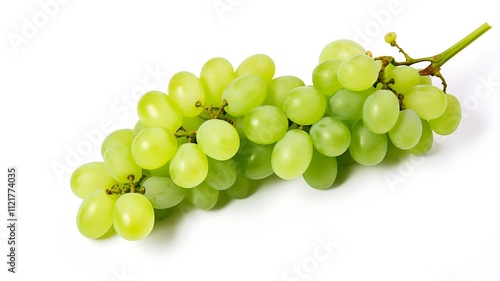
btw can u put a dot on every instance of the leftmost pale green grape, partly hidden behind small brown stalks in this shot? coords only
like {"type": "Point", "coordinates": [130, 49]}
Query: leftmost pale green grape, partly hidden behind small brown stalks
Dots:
{"type": "Point", "coordinates": [89, 177]}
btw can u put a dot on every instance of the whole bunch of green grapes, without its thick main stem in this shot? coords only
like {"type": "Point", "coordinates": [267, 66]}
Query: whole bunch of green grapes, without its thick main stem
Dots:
{"type": "Point", "coordinates": [217, 132]}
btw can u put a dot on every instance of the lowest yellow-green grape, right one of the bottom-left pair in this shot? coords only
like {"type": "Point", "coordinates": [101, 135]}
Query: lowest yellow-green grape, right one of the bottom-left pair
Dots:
{"type": "Point", "coordinates": [133, 217]}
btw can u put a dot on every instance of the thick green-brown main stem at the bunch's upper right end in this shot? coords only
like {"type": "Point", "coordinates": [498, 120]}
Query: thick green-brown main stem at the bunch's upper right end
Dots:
{"type": "Point", "coordinates": [437, 61]}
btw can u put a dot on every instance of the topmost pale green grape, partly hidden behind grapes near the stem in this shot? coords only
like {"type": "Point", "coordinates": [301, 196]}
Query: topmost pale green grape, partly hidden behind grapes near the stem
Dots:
{"type": "Point", "coordinates": [341, 50]}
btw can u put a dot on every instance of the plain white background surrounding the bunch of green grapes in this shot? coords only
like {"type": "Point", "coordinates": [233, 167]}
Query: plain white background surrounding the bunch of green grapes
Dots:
{"type": "Point", "coordinates": [77, 73]}
